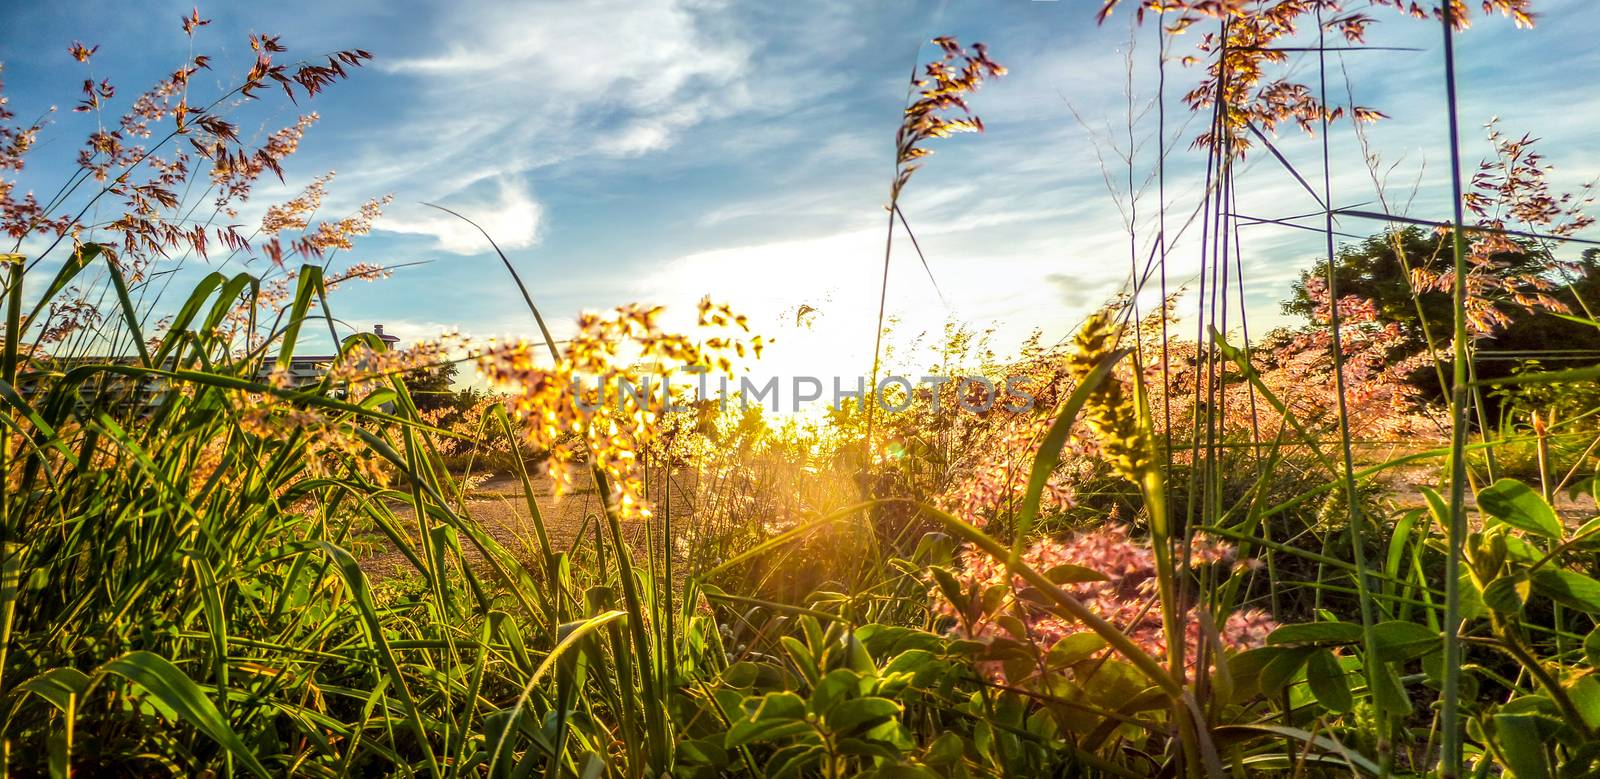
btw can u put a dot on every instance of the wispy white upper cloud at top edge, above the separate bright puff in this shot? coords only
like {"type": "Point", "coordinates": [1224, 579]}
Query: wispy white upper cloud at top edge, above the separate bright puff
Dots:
{"type": "Point", "coordinates": [612, 78]}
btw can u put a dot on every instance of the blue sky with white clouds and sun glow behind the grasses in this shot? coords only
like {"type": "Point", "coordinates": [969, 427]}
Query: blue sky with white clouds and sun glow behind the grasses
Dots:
{"type": "Point", "coordinates": [657, 151]}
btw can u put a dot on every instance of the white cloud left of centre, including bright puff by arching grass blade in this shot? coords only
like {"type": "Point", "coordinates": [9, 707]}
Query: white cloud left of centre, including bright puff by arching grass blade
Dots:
{"type": "Point", "coordinates": [511, 89]}
